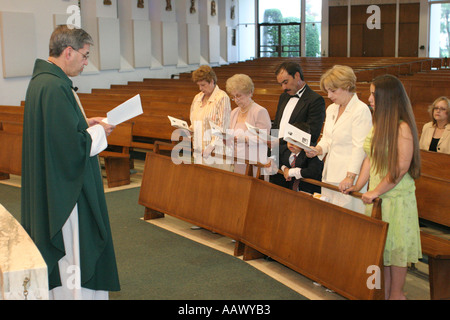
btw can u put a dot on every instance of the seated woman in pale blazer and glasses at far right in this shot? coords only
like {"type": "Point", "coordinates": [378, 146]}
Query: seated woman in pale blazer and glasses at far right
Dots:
{"type": "Point", "coordinates": [436, 133]}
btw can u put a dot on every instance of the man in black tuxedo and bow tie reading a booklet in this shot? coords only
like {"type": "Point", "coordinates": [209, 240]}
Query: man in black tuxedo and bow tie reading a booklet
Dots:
{"type": "Point", "coordinates": [298, 103]}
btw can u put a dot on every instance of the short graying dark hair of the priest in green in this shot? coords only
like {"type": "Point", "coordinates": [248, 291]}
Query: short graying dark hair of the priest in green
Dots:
{"type": "Point", "coordinates": [68, 36]}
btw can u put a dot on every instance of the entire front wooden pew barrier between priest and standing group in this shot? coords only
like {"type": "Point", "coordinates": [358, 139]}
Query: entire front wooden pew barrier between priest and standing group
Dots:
{"type": "Point", "coordinates": [327, 243]}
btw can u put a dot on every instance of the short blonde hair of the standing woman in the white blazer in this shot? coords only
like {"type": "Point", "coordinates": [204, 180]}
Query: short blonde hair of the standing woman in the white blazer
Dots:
{"type": "Point", "coordinates": [337, 77]}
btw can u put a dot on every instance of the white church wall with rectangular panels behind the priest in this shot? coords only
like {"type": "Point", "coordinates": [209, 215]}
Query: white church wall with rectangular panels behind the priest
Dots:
{"type": "Point", "coordinates": [131, 42]}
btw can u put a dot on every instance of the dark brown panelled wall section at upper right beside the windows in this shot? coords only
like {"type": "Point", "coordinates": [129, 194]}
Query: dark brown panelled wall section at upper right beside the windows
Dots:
{"type": "Point", "coordinates": [411, 39]}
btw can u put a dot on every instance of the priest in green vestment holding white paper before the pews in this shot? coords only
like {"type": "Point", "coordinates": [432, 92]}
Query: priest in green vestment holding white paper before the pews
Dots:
{"type": "Point", "coordinates": [63, 203]}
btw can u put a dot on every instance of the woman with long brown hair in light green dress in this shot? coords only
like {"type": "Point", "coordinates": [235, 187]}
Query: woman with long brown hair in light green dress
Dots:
{"type": "Point", "coordinates": [392, 163]}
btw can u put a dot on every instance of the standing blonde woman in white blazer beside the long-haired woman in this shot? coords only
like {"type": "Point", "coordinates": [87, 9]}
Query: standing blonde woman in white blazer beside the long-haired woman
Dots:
{"type": "Point", "coordinates": [347, 123]}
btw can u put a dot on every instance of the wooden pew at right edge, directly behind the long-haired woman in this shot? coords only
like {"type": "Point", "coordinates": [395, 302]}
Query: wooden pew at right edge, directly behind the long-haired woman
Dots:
{"type": "Point", "coordinates": [432, 191]}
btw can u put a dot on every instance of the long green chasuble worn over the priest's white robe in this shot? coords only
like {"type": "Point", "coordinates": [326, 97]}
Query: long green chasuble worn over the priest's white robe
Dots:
{"type": "Point", "coordinates": [57, 174]}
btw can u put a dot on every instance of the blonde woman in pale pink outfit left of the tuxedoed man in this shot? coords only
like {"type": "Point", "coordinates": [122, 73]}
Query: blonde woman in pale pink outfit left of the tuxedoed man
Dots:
{"type": "Point", "coordinates": [247, 146]}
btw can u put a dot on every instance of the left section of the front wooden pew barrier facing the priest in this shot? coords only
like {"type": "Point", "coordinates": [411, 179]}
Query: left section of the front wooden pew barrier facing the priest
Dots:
{"type": "Point", "coordinates": [186, 194]}
